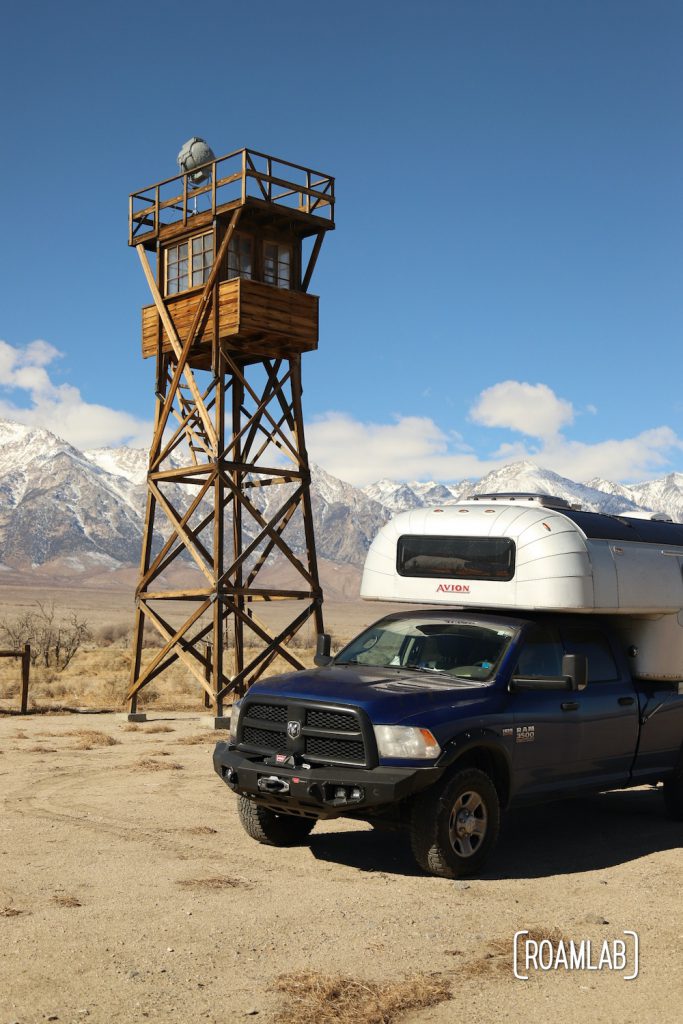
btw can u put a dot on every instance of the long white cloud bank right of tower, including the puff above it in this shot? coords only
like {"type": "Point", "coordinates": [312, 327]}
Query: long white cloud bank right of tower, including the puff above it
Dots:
{"type": "Point", "coordinates": [416, 448]}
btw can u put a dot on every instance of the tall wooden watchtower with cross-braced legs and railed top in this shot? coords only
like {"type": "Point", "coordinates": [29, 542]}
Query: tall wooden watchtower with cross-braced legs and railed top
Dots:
{"type": "Point", "coordinates": [229, 250]}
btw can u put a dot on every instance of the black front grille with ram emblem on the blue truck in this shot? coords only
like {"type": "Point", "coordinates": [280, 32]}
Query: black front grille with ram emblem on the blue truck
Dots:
{"type": "Point", "coordinates": [330, 736]}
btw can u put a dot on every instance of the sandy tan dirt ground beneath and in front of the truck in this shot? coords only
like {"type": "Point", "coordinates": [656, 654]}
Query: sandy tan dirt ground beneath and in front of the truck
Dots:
{"type": "Point", "coordinates": [130, 892]}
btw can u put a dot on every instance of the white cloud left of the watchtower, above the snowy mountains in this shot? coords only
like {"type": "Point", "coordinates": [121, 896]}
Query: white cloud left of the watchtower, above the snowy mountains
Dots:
{"type": "Point", "coordinates": [60, 408]}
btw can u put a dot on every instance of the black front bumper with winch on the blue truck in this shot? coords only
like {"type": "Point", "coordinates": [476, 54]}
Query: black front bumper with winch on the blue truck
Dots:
{"type": "Point", "coordinates": [314, 792]}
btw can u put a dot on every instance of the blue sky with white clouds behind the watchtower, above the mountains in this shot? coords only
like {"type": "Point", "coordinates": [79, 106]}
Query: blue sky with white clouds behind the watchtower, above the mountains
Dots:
{"type": "Point", "coordinates": [505, 278]}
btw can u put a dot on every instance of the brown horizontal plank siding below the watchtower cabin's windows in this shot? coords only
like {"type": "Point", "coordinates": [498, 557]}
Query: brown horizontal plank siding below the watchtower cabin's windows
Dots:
{"type": "Point", "coordinates": [246, 310]}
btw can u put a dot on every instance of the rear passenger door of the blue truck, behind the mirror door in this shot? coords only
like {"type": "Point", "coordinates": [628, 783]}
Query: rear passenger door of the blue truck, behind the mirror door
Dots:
{"type": "Point", "coordinates": [607, 710]}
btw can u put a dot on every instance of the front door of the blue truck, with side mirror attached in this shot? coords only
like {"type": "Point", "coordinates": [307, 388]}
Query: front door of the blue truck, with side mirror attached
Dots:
{"type": "Point", "coordinates": [546, 728]}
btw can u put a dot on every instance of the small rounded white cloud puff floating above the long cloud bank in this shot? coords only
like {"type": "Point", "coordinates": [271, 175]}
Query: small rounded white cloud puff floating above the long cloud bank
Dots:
{"type": "Point", "coordinates": [534, 410]}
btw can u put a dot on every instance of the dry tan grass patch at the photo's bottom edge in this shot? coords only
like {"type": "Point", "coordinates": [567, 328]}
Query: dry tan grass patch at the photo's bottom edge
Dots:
{"type": "Point", "coordinates": [310, 997]}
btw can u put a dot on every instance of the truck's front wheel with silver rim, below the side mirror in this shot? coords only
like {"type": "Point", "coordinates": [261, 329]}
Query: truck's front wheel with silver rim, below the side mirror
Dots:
{"type": "Point", "coordinates": [455, 826]}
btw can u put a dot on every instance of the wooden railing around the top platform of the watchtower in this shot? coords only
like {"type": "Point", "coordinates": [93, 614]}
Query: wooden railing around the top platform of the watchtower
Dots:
{"type": "Point", "coordinates": [233, 180]}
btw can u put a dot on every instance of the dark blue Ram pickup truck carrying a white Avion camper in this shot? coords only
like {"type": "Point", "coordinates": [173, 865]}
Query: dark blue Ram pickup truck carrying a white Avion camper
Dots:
{"type": "Point", "coordinates": [542, 658]}
